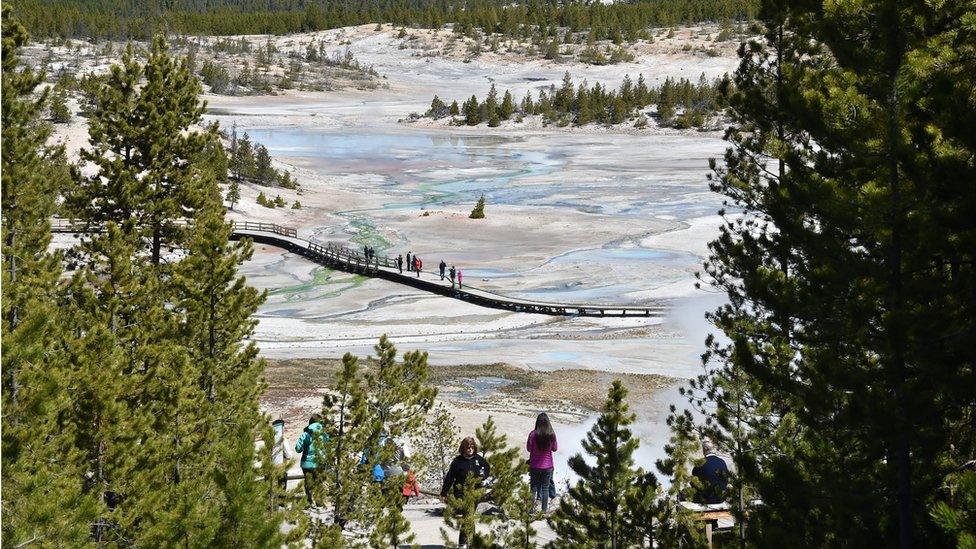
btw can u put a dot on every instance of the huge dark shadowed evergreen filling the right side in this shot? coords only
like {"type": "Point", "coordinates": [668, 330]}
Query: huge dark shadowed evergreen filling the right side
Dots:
{"type": "Point", "coordinates": [847, 273]}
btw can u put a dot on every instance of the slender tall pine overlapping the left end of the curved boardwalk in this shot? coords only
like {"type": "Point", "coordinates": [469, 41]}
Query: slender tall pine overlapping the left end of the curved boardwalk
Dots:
{"type": "Point", "coordinates": [218, 306]}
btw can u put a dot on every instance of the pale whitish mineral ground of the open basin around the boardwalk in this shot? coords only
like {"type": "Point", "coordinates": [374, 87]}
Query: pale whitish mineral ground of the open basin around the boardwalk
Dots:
{"type": "Point", "coordinates": [589, 182]}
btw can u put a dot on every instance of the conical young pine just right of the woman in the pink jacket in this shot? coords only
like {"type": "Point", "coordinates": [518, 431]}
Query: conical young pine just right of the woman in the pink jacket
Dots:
{"type": "Point", "coordinates": [598, 502]}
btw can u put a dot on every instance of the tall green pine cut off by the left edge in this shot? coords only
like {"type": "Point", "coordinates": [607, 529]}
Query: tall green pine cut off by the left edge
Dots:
{"type": "Point", "coordinates": [43, 500]}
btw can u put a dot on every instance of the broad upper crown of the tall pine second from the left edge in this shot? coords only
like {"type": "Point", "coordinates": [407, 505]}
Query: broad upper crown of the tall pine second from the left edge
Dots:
{"type": "Point", "coordinates": [143, 151]}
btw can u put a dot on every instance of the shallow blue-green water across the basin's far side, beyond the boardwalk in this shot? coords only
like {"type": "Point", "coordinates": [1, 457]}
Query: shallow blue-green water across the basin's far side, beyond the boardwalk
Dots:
{"type": "Point", "coordinates": [422, 169]}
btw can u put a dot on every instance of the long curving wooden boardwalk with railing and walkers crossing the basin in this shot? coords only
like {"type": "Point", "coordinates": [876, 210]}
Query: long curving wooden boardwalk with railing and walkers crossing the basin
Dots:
{"type": "Point", "coordinates": [336, 256]}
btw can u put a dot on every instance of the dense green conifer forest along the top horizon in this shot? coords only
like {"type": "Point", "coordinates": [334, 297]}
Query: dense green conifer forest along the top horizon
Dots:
{"type": "Point", "coordinates": [120, 19]}
